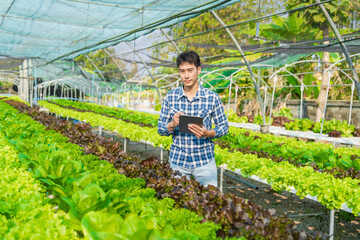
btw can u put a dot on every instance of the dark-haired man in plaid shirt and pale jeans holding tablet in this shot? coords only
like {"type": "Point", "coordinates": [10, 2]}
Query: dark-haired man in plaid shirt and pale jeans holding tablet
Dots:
{"type": "Point", "coordinates": [193, 154]}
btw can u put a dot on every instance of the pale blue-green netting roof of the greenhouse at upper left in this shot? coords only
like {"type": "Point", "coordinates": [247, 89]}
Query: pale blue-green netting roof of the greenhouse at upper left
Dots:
{"type": "Point", "coordinates": [54, 29]}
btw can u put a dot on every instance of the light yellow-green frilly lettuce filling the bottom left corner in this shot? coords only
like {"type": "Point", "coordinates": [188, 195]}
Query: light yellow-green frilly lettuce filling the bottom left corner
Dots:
{"type": "Point", "coordinates": [25, 211]}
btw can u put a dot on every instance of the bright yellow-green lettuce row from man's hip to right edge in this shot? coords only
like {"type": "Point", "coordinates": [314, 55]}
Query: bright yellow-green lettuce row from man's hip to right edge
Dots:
{"type": "Point", "coordinates": [330, 191]}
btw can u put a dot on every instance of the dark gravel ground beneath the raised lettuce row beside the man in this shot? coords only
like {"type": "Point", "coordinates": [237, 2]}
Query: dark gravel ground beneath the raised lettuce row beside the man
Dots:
{"type": "Point", "coordinates": [310, 216]}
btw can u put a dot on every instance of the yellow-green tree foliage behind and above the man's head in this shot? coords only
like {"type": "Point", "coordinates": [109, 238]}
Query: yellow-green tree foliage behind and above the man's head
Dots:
{"type": "Point", "coordinates": [210, 43]}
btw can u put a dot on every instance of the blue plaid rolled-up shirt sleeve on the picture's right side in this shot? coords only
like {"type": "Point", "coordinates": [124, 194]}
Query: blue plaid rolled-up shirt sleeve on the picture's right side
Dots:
{"type": "Point", "coordinates": [220, 120]}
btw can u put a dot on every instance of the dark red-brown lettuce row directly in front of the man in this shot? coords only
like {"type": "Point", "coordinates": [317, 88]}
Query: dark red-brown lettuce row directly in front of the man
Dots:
{"type": "Point", "coordinates": [216, 207]}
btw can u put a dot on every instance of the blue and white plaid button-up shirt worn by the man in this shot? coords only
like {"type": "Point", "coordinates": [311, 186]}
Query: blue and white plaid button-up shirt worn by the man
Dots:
{"type": "Point", "coordinates": [187, 150]}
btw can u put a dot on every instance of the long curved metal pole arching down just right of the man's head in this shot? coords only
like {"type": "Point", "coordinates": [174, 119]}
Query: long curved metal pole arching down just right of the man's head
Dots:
{"type": "Point", "coordinates": [247, 64]}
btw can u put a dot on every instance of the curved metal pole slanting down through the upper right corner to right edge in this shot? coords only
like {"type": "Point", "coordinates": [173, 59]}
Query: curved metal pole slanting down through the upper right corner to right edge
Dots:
{"type": "Point", "coordinates": [343, 46]}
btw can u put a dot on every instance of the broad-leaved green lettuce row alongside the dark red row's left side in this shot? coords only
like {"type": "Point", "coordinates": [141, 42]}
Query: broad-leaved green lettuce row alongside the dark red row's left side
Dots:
{"type": "Point", "coordinates": [101, 202]}
